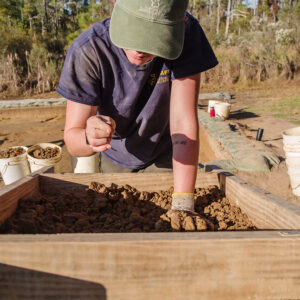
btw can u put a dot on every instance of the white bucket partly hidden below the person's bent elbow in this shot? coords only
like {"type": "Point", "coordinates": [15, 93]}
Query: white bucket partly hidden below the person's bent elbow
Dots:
{"type": "Point", "coordinates": [86, 164]}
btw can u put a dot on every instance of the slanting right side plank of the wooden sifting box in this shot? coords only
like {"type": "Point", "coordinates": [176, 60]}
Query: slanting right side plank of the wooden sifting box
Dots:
{"type": "Point", "coordinates": [266, 210]}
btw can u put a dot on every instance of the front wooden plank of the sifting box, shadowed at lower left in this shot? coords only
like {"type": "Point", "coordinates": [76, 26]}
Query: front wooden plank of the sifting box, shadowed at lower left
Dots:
{"type": "Point", "coordinates": [240, 265]}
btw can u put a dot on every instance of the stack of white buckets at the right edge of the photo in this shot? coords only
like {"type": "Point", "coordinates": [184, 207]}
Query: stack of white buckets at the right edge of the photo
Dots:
{"type": "Point", "coordinates": [291, 146]}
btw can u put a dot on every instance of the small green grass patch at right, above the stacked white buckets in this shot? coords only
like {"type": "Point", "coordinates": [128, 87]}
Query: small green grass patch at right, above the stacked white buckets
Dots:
{"type": "Point", "coordinates": [287, 108]}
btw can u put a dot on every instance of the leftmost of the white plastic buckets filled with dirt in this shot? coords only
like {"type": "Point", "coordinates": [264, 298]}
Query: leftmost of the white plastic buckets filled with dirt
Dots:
{"type": "Point", "coordinates": [14, 168]}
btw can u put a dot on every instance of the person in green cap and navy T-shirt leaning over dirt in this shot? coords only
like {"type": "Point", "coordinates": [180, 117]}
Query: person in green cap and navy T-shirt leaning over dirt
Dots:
{"type": "Point", "coordinates": [132, 84]}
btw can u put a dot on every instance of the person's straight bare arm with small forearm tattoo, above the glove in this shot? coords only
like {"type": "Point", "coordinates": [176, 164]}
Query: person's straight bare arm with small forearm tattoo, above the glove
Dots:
{"type": "Point", "coordinates": [184, 131]}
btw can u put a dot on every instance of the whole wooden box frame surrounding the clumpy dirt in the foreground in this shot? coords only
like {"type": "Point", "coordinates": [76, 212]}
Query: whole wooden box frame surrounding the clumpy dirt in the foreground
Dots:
{"type": "Point", "coordinates": [263, 264]}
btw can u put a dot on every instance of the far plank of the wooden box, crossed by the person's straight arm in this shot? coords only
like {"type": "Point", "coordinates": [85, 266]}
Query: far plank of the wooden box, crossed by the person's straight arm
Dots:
{"type": "Point", "coordinates": [141, 181]}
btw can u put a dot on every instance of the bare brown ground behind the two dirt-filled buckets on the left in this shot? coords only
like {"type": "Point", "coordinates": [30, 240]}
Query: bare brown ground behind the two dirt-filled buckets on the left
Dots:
{"type": "Point", "coordinates": [34, 125]}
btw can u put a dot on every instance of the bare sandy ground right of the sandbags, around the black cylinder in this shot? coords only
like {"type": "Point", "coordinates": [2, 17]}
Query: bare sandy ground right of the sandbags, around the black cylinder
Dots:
{"type": "Point", "coordinates": [247, 123]}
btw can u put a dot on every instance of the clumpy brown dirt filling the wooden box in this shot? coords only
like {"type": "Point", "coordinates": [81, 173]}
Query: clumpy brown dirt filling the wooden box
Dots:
{"type": "Point", "coordinates": [122, 208]}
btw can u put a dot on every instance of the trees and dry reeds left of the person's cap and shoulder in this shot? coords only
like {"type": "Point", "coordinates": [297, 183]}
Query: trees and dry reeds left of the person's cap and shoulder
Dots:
{"type": "Point", "coordinates": [35, 36]}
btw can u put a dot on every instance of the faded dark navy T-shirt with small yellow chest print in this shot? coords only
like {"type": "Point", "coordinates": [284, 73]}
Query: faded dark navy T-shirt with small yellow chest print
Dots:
{"type": "Point", "coordinates": [98, 73]}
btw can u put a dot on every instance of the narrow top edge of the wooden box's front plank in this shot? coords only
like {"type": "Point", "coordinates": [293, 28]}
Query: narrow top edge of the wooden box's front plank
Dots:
{"type": "Point", "coordinates": [151, 236]}
